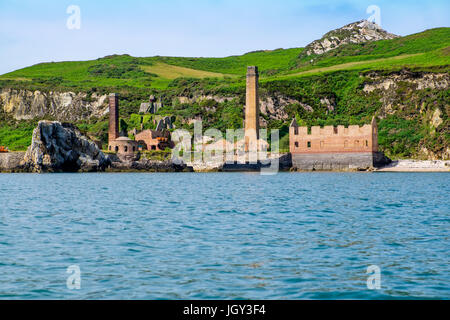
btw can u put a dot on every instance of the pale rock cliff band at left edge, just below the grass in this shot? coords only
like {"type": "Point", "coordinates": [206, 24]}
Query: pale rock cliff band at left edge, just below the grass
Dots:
{"type": "Point", "coordinates": [61, 106]}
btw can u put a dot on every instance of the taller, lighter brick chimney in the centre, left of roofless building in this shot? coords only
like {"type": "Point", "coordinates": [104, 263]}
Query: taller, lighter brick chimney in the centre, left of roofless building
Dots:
{"type": "Point", "coordinates": [252, 107]}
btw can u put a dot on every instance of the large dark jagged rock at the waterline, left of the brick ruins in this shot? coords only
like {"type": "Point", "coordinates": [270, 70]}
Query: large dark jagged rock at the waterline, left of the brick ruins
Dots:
{"type": "Point", "coordinates": [57, 147]}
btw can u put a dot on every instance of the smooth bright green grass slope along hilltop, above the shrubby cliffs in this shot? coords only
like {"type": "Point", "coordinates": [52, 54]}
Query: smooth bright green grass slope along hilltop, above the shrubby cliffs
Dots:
{"type": "Point", "coordinates": [425, 49]}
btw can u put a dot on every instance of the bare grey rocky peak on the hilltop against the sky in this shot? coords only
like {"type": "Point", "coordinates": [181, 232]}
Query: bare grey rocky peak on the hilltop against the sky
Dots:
{"type": "Point", "coordinates": [357, 32]}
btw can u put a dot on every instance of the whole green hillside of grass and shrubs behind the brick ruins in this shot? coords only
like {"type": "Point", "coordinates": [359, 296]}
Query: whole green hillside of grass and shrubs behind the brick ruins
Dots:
{"type": "Point", "coordinates": [338, 75]}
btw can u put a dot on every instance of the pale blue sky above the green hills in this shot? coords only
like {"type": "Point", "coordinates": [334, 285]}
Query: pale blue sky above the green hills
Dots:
{"type": "Point", "coordinates": [35, 31]}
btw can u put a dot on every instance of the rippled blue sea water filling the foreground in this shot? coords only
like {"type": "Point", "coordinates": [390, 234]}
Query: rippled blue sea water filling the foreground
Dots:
{"type": "Point", "coordinates": [224, 236]}
